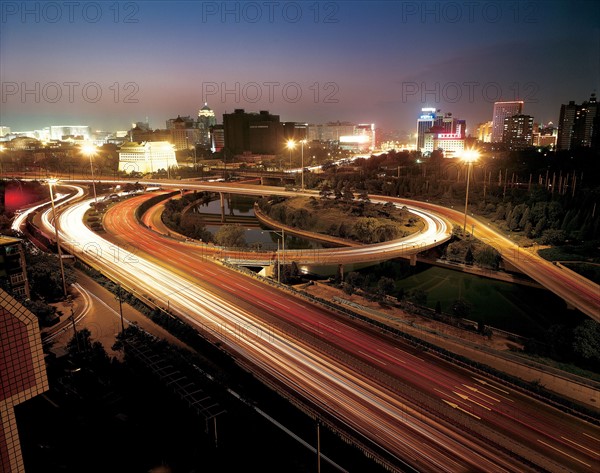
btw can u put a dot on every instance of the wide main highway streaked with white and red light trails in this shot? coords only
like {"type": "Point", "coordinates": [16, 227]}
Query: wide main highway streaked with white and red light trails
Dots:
{"type": "Point", "coordinates": [402, 404]}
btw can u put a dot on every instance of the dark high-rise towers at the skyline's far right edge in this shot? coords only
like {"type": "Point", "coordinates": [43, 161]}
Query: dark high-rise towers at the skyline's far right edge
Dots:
{"type": "Point", "coordinates": [578, 125]}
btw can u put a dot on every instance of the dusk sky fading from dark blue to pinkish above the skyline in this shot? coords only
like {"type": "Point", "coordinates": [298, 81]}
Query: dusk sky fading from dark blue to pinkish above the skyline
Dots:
{"type": "Point", "coordinates": [108, 64]}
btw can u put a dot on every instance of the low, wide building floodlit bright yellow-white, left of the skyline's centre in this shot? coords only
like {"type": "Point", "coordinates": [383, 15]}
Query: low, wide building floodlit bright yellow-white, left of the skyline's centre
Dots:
{"type": "Point", "coordinates": [146, 157]}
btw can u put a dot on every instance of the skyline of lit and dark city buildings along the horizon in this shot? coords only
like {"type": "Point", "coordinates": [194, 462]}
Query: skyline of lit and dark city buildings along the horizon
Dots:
{"type": "Point", "coordinates": [249, 136]}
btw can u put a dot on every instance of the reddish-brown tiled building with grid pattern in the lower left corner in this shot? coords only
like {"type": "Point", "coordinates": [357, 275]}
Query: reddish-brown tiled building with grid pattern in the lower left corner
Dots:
{"type": "Point", "coordinates": [22, 374]}
